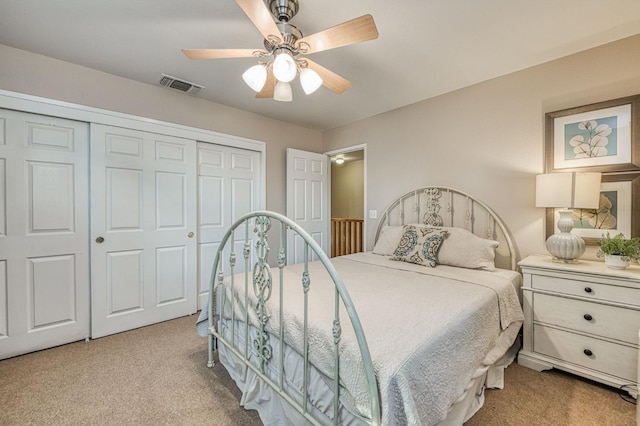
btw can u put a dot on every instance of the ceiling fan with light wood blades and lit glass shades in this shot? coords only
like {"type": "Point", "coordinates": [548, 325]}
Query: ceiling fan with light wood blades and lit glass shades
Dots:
{"type": "Point", "coordinates": [284, 44]}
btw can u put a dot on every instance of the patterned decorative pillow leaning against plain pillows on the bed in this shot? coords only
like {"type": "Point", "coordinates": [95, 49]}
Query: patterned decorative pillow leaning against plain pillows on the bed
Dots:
{"type": "Point", "coordinates": [419, 245]}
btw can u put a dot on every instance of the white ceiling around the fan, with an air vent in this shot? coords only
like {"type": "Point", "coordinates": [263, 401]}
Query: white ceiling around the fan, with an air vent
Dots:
{"type": "Point", "coordinates": [425, 48]}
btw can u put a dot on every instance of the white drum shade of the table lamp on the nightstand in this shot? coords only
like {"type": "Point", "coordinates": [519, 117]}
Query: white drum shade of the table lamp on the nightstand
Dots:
{"type": "Point", "coordinates": [569, 190]}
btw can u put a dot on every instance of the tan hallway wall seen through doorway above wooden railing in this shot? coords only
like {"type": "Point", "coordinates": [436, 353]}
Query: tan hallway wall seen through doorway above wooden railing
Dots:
{"type": "Point", "coordinates": [347, 190]}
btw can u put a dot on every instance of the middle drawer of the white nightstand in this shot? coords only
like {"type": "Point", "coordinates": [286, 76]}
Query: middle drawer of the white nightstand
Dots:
{"type": "Point", "coordinates": [593, 318]}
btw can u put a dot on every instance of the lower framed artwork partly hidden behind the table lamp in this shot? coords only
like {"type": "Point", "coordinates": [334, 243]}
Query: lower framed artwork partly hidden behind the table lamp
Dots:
{"type": "Point", "coordinates": [617, 213]}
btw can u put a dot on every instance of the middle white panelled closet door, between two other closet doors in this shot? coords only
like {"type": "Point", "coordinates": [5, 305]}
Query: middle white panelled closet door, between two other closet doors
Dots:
{"type": "Point", "coordinates": [143, 223]}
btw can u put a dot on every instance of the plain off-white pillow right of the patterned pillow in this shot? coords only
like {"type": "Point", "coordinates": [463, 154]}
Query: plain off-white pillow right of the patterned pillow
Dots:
{"type": "Point", "coordinates": [466, 250]}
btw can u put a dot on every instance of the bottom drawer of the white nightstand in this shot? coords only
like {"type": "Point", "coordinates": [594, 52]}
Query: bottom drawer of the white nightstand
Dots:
{"type": "Point", "coordinates": [609, 358]}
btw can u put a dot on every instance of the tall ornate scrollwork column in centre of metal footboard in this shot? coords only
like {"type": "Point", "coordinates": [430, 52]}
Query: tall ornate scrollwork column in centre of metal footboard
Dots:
{"type": "Point", "coordinates": [262, 285]}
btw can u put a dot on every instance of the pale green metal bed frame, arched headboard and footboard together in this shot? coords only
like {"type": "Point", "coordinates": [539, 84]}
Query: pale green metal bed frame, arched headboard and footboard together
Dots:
{"type": "Point", "coordinates": [462, 211]}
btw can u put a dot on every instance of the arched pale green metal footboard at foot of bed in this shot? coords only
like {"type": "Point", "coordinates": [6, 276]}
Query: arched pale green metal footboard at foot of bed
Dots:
{"type": "Point", "coordinates": [251, 231]}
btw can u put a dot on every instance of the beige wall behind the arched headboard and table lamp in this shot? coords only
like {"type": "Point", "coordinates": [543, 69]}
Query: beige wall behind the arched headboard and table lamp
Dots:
{"type": "Point", "coordinates": [487, 139]}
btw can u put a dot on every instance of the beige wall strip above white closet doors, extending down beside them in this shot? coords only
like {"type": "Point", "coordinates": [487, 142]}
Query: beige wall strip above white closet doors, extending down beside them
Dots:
{"type": "Point", "coordinates": [37, 75]}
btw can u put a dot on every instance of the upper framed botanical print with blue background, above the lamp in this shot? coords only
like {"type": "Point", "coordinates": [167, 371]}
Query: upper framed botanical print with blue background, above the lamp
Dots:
{"type": "Point", "coordinates": [601, 137]}
